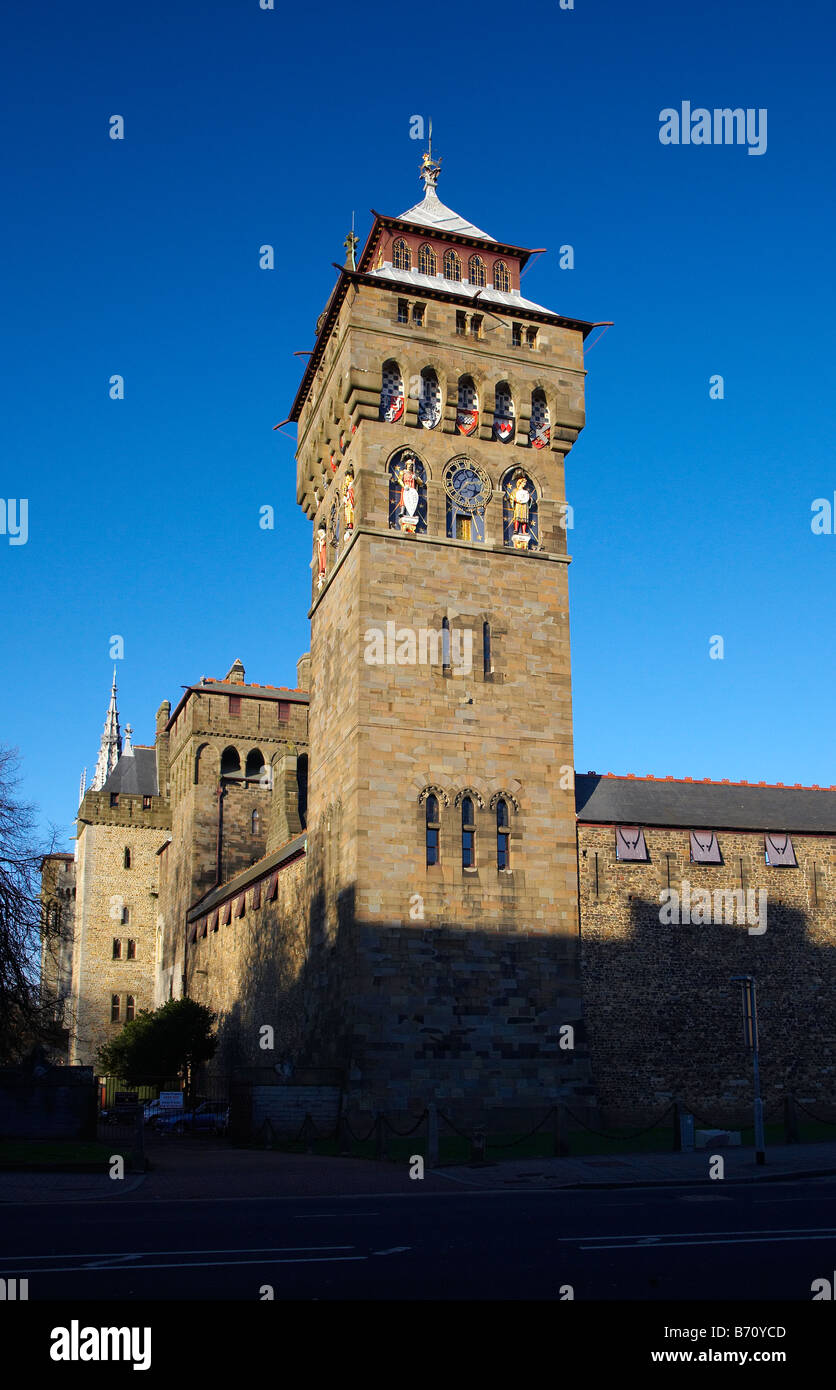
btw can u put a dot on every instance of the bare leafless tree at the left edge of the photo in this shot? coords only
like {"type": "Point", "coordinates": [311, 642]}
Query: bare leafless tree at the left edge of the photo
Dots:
{"type": "Point", "coordinates": [27, 1020]}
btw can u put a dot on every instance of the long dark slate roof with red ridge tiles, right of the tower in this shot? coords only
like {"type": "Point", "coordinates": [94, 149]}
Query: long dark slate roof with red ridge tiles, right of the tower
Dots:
{"type": "Point", "coordinates": [705, 806]}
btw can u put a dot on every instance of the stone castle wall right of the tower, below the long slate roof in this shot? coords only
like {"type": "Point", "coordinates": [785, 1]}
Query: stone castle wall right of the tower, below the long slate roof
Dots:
{"type": "Point", "coordinates": [664, 1020]}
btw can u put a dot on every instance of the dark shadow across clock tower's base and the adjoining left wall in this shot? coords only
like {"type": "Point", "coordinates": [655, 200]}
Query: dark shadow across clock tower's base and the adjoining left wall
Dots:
{"type": "Point", "coordinates": [411, 1014]}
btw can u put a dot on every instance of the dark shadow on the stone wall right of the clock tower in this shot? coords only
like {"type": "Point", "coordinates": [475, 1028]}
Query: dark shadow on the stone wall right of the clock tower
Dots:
{"type": "Point", "coordinates": [666, 1022]}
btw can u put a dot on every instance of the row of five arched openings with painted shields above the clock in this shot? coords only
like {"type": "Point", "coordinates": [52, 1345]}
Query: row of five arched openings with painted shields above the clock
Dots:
{"type": "Point", "coordinates": [468, 405]}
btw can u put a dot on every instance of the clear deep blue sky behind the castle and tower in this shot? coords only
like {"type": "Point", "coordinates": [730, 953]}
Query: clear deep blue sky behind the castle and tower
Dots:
{"type": "Point", "coordinates": [248, 127]}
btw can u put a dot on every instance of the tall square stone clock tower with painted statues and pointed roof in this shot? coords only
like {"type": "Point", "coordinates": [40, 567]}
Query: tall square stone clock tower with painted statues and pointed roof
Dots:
{"type": "Point", "coordinates": [435, 418]}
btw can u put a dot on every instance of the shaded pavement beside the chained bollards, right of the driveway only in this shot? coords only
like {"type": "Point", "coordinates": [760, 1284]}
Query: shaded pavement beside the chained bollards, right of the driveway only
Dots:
{"type": "Point", "coordinates": [784, 1161]}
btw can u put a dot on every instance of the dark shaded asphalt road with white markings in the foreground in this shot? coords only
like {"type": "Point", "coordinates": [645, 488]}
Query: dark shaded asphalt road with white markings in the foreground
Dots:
{"type": "Point", "coordinates": [764, 1242]}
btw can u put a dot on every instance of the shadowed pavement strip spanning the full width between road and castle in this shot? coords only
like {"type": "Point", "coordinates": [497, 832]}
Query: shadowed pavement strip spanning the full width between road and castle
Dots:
{"type": "Point", "coordinates": [209, 1171]}
